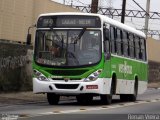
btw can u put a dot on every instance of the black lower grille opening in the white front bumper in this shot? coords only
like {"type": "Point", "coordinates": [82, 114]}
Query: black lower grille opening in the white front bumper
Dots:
{"type": "Point", "coordinates": [66, 86]}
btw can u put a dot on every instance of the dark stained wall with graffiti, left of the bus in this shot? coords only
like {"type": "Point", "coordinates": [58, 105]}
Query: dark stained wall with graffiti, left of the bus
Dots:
{"type": "Point", "coordinates": [15, 67]}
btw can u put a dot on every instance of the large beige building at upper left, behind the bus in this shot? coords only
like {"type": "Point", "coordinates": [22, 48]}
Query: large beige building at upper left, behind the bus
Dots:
{"type": "Point", "coordinates": [17, 15]}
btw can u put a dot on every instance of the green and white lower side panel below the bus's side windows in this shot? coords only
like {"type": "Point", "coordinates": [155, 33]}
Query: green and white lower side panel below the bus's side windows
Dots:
{"type": "Point", "coordinates": [126, 70]}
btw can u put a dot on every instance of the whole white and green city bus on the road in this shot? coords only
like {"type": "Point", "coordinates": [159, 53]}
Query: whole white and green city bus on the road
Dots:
{"type": "Point", "coordinates": [87, 55]}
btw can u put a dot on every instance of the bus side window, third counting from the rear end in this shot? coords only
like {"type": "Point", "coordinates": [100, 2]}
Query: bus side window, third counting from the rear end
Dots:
{"type": "Point", "coordinates": [131, 45]}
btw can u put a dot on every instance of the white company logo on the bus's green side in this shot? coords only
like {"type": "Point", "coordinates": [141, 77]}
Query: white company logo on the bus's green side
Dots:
{"type": "Point", "coordinates": [124, 68]}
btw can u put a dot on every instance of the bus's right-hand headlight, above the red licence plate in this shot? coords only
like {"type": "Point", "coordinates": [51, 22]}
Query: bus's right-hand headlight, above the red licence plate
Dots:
{"type": "Point", "coordinates": [93, 76]}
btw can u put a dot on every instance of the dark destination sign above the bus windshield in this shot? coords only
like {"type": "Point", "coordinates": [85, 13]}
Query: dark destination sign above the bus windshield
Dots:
{"type": "Point", "coordinates": [69, 21]}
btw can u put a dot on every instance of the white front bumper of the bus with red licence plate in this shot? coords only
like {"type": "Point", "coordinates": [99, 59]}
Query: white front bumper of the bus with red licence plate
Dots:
{"type": "Point", "coordinates": [72, 87]}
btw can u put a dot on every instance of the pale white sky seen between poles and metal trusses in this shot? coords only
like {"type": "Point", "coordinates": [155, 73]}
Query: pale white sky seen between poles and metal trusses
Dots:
{"type": "Point", "coordinates": [137, 23]}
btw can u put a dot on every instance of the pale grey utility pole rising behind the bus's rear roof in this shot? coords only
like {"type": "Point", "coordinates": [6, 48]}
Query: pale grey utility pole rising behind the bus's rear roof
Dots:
{"type": "Point", "coordinates": [147, 17]}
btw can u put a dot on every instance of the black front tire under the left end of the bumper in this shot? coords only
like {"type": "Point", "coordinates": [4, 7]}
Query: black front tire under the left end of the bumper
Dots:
{"type": "Point", "coordinates": [52, 98]}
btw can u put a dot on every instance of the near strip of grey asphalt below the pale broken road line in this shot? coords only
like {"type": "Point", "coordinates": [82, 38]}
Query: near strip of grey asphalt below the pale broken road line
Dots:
{"type": "Point", "coordinates": [141, 111]}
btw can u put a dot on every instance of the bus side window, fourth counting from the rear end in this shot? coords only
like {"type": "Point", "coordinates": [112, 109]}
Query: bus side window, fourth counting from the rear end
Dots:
{"type": "Point", "coordinates": [125, 43]}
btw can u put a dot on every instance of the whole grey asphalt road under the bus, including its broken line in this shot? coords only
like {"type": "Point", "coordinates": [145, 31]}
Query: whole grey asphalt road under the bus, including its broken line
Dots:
{"type": "Point", "coordinates": [147, 103]}
